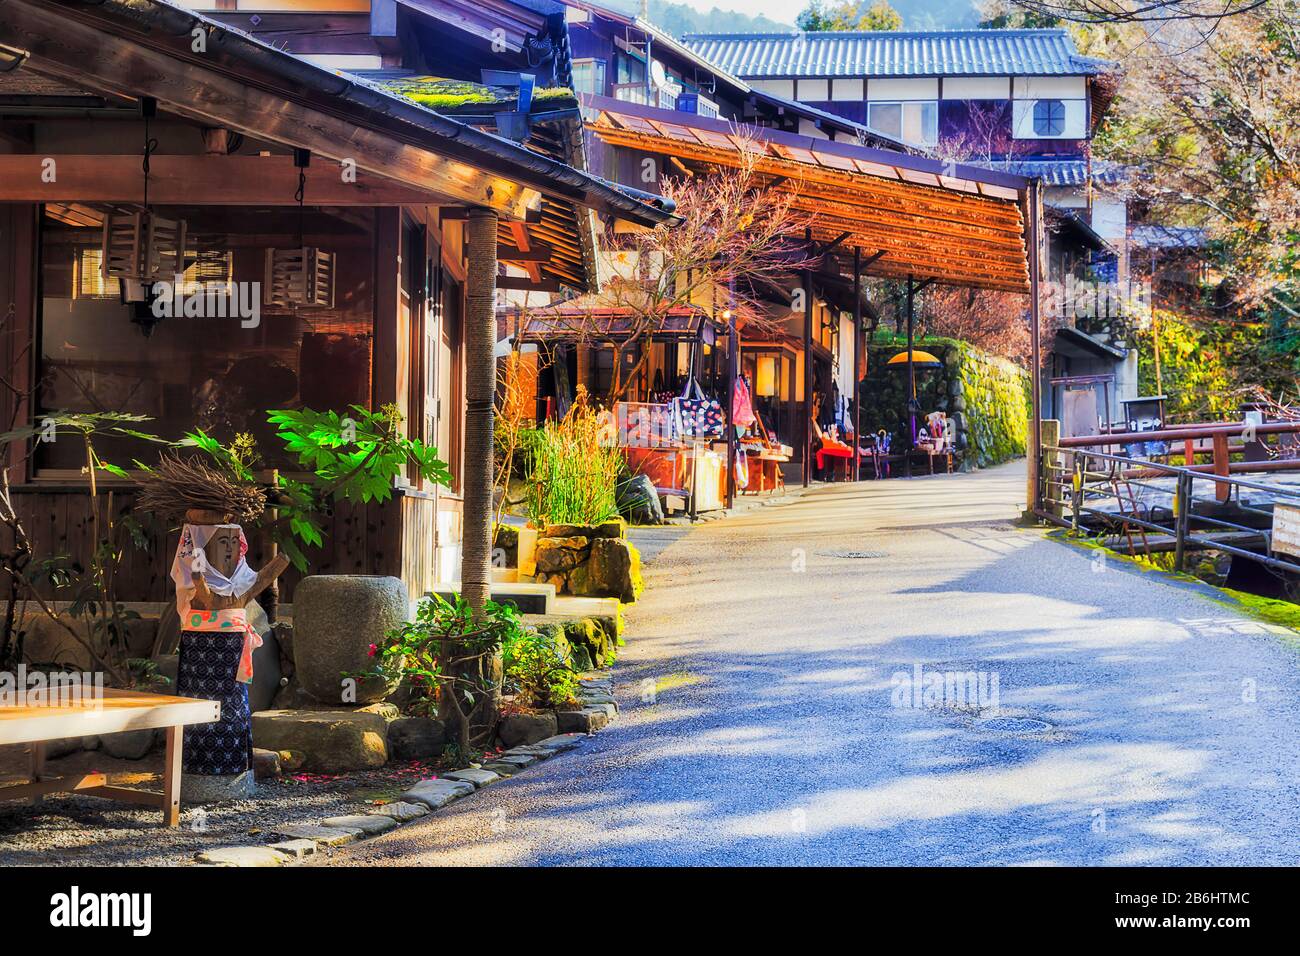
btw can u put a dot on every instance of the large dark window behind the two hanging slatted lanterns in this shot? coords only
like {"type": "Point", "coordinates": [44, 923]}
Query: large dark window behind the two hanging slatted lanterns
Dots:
{"type": "Point", "coordinates": [219, 374]}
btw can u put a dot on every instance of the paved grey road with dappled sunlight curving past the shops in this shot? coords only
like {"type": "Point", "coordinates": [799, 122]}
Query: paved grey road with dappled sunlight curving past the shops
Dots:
{"type": "Point", "coordinates": [769, 713]}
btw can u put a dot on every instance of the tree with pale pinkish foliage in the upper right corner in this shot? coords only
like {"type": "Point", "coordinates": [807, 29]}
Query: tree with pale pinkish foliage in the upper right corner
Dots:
{"type": "Point", "coordinates": [1207, 119]}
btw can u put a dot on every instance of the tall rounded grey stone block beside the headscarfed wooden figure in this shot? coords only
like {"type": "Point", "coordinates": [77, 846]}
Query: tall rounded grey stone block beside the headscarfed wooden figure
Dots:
{"type": "Point", "coordinates": [336, 621]}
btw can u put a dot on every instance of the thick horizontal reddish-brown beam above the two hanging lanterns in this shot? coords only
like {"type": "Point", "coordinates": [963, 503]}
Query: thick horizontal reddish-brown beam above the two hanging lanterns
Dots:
{"type": "Point", "coordinates": [209, 180]}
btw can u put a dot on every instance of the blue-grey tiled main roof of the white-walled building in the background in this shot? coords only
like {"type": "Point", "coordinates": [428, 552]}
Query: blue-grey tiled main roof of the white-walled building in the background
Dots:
{"type": "Point", "coordinates": [898, 54]}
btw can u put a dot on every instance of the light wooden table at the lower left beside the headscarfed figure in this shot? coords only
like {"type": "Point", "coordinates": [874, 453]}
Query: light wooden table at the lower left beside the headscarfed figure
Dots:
{"type": "Point", "coordinates": [118, 711]}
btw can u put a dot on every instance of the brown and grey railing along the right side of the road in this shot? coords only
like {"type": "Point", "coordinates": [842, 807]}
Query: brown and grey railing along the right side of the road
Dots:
{"type": "Point", "coordinates": [1169, 511]}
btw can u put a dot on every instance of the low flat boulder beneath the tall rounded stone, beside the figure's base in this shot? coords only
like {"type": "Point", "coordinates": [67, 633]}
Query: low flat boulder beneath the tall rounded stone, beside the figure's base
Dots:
{"type": "Point", "coordinates": [331, 742]}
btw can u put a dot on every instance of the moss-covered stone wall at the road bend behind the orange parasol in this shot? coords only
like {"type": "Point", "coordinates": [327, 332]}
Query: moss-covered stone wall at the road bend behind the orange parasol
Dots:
{"type": "Point", "coordinates": [986, 397]}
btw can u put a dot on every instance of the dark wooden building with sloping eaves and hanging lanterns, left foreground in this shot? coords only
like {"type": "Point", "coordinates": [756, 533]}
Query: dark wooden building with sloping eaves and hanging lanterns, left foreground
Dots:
{"type": "Point", "coordinates": [259, 163]}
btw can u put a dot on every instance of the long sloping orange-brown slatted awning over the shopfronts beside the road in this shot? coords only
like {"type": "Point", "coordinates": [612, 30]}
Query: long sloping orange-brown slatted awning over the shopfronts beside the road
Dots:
{"type": "Point", "coordinates": [955, 224]}
